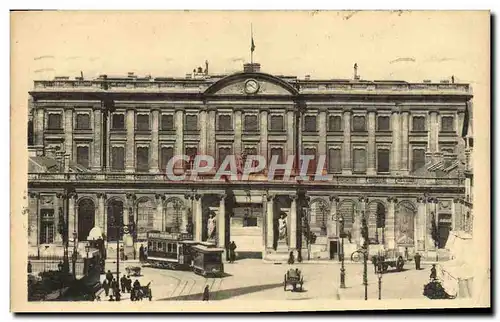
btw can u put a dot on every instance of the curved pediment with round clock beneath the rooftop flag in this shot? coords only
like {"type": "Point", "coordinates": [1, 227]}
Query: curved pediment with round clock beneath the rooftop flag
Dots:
{"type": "Point", "coordinates": [251, 85]}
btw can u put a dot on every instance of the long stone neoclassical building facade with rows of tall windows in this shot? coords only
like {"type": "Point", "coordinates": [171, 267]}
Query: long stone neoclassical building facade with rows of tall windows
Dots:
{"type": "Point", "coordinates": [99, 150]}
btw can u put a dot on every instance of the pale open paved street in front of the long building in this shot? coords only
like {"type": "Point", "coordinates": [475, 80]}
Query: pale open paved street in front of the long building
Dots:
{"type": "Point", "coordinates": [252, 279]}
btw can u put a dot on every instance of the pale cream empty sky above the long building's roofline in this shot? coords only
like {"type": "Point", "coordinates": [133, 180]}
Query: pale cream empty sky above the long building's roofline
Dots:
{"type": "Point", "coordinates": [398, 45]}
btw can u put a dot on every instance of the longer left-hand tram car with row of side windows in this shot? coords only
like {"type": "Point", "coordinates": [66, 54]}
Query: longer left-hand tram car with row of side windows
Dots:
{"type": "Point", "coordinates": [169, 250]}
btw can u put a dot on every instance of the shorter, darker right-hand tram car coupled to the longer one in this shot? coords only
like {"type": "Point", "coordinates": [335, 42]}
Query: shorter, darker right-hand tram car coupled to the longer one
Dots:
{"type": "Point", "coordinates": [207, 260]}
